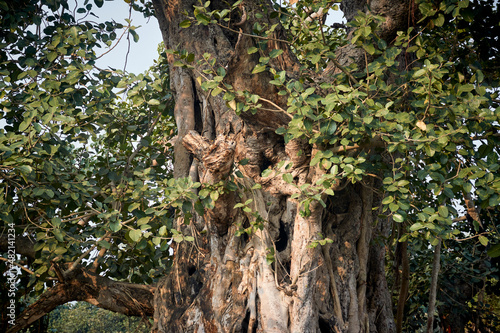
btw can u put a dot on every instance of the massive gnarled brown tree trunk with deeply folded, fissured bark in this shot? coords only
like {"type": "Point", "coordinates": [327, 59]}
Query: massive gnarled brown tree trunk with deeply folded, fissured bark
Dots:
{"type": "Point", "coordinates": [222, 282]}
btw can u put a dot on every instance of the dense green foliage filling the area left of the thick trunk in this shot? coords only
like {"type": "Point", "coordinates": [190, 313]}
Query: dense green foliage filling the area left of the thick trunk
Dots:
{"type": "Point", "coordinates": [79, 164]}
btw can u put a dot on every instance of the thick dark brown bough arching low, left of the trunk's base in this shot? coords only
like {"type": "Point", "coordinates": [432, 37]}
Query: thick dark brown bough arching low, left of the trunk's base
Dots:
{"type": "Point", "coordinates": [82, 285]}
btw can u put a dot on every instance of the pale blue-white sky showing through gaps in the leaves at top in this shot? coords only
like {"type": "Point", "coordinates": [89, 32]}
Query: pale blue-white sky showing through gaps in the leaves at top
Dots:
{"type": "Point", "coordinates": [143, 53]}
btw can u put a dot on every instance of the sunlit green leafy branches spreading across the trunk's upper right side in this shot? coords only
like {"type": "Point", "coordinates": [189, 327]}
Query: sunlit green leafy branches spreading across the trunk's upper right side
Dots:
{"type": "Point", "coordinates": [436, 116]}
